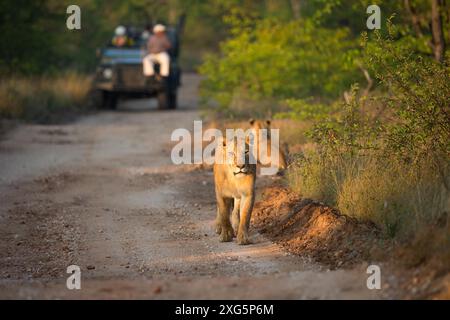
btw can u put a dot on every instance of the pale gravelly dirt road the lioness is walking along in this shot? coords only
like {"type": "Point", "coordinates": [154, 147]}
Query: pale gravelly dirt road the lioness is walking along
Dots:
{"type": "Point", "coordinates": [103, 194]}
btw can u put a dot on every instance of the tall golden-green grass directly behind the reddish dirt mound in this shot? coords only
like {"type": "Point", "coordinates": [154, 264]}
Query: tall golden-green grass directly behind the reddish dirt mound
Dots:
{"type": "Point", "coordinates": [402, 199]}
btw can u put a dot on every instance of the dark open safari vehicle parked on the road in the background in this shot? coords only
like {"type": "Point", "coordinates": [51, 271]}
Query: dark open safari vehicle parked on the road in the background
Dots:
{"type": "Point", "coordinates": [120, 72]}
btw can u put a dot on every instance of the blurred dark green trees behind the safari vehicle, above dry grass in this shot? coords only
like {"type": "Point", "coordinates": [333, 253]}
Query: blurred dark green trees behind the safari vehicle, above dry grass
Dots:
{"type": "Point", "coordinates": [35, 39]}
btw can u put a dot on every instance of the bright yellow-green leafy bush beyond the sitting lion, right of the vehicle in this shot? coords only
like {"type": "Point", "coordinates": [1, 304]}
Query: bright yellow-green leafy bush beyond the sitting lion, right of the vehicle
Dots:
{"type": "Point", "coordinates": [280, 60]}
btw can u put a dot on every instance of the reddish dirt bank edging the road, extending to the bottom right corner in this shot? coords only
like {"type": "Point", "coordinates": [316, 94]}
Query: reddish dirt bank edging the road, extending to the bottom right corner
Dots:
{"type": "Point", "coordinates": [312, 229]}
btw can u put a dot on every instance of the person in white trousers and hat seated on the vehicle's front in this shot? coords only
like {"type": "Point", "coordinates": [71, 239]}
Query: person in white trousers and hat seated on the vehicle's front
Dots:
{"type": "Point", "coordinates": [157, 46]}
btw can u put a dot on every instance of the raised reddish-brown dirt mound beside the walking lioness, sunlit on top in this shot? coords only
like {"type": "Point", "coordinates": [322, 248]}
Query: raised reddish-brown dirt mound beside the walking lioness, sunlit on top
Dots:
{"type": "Point", "coordinates": [308, 228]}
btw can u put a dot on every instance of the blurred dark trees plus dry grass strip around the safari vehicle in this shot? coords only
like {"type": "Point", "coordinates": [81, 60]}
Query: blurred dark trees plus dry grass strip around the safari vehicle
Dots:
{"type": "Point", "coordinates": [45, 68]}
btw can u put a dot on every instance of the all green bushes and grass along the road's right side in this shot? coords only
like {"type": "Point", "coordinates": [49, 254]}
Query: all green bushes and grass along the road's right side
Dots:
{"type": "Point", "coordinates": [375, 106]}
